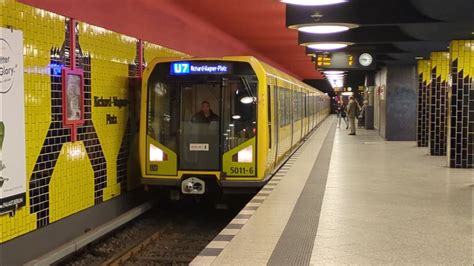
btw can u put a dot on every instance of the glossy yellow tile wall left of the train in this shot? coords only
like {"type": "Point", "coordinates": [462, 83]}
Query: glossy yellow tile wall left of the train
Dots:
{"type": "Point", "coordinates": [71, 187]}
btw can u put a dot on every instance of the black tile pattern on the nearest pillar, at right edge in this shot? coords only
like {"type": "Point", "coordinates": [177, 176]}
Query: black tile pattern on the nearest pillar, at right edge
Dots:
{"type": "Point", "coordinates": [461, 150]}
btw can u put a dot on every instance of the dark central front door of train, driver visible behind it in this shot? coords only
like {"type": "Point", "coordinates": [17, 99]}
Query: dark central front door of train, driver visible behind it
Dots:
{"type": "Point", "coordinates": [200, 126]}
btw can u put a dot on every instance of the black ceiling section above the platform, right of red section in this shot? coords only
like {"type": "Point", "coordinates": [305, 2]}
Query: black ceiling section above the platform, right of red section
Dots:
{"type": "Point", "coordinates": [398, 30]}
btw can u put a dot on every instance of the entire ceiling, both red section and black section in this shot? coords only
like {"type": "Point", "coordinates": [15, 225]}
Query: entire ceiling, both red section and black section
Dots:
{"type": "Point", "coordinates": [398, 30]}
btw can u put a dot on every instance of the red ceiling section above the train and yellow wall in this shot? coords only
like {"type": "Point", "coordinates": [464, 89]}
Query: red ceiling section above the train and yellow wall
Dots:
{"type": "Point", "coordinates": [199, 27]}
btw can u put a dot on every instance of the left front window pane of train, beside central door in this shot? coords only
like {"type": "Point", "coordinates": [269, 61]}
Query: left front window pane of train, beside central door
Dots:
{"type": "Point", "coordinates": [163, 113]}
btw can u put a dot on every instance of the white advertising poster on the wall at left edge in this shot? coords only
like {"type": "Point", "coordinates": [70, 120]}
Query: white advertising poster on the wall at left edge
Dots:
{"type": "Point", "coordinates": [12, 122]}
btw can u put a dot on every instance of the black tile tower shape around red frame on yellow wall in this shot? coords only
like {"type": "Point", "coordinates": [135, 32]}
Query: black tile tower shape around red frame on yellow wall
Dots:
{"type": "Point", "coordinates": [58, 135]}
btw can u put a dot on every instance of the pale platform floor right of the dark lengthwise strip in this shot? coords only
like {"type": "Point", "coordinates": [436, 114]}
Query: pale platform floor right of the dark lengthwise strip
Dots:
{"type": "Point", "coordinates": [390, 202]}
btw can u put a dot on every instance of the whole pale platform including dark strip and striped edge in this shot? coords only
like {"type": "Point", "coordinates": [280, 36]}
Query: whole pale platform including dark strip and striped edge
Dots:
{"type": "Point", "coordinates": [353, 200]}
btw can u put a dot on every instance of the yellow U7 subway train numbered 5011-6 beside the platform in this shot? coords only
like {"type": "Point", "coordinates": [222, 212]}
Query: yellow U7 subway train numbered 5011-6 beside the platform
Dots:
{"type": "Point", "coordinates": [221, 122]}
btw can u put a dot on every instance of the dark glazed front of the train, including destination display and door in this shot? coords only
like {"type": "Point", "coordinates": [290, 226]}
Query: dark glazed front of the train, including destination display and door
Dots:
{"type": "Point", "coordinates": [200, 116]}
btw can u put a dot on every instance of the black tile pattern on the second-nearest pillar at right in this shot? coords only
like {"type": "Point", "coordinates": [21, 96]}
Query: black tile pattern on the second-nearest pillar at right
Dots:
{"type": "Point", "coordinates": [438, 114]}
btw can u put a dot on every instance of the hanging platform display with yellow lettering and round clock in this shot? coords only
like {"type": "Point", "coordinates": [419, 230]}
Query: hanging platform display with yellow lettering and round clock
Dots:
{"type": "Point", "coordinates": [346, 60]}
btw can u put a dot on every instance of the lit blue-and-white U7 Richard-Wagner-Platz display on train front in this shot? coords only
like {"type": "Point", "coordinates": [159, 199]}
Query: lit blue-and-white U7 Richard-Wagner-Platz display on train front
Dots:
{"type": "Point", "coordinates": [199, 68]}
